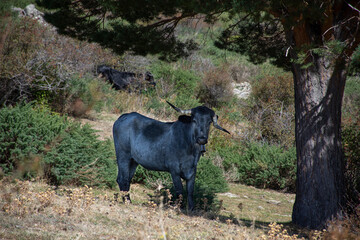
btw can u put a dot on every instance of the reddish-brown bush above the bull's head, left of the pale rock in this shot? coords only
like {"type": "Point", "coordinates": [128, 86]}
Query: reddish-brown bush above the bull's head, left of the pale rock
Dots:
{"type": "Point", "coordinates": [215, 88]}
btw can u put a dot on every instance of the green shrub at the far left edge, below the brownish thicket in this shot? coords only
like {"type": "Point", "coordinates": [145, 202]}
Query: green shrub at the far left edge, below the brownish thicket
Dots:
{"type": "Point", "coordinates": [25, 130]}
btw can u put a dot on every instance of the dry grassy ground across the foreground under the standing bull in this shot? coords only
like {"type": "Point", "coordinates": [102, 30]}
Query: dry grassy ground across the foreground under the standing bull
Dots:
{"type": "Point", "coordinates": [35, 210]}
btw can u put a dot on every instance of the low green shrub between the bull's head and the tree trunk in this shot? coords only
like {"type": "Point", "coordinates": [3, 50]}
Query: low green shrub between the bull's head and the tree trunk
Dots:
{"type": "Point", "coordinates": [261, 165]}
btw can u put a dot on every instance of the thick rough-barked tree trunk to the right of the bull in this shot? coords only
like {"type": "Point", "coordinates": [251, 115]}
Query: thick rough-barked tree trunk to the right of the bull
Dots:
{"type": "Point", "coordinates": [320, 166]}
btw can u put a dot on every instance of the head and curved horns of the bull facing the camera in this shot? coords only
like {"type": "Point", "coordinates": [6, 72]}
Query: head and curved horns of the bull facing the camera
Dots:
{"type": "Point", "coordinates": [201, 117]}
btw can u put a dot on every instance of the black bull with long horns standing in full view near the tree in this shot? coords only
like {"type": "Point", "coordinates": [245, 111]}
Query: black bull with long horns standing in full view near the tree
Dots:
{"type": "Point", "coordinates": [173, 147]}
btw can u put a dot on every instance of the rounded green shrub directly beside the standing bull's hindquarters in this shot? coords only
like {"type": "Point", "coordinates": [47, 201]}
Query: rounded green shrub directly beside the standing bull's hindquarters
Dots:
{"type": "Point", "coordinates": [80, 158]}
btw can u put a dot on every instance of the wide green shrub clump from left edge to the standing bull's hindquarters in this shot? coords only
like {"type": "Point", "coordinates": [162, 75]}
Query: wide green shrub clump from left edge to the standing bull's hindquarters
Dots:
{"type": "Point", "coordinates": [54, 148]}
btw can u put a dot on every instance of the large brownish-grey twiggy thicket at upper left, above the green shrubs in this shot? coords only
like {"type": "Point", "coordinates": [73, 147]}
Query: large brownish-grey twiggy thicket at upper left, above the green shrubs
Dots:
{"type": "Point", "coordinates": [36, 61]}
